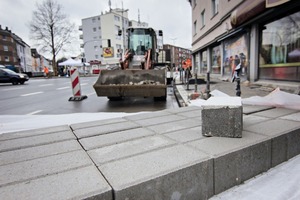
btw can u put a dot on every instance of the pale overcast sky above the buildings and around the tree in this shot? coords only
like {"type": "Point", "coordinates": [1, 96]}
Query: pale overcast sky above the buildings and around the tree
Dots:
{"type": "Point", "coordinates": [171, 16]}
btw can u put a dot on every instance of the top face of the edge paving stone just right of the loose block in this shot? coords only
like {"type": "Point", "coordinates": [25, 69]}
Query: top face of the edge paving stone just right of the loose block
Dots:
{"type": "Point", "coordinates": [274, 127]}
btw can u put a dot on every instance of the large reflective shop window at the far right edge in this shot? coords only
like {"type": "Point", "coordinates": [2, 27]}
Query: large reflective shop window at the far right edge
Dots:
{"type": "Point", "coordinates": [279, 57]}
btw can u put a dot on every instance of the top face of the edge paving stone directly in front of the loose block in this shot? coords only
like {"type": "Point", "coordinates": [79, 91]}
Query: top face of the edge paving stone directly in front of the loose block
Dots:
{"type": "Point", "coordinates": [219, 146]}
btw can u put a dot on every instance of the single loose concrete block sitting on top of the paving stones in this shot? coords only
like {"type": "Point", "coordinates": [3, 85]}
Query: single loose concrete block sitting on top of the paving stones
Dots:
{"type": "Point", "coordinates": [222, 117]}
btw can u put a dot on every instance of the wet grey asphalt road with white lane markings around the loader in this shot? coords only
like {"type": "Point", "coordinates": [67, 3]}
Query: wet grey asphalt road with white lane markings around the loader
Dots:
{"type": "Point", "coordinates": [50, 96]}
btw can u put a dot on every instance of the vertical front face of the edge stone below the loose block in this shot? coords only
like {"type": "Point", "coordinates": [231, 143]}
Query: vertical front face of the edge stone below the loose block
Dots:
{"type": "Point", "coordinates": [234, 168]}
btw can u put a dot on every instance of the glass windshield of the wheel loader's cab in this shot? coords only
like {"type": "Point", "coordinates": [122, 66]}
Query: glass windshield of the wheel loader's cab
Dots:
{"type": "Point", "coordinates": [140, 40]}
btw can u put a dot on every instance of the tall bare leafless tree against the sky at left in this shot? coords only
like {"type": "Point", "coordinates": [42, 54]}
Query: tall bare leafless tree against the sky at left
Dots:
{"type": "Point", "coordinates": [51, 29]}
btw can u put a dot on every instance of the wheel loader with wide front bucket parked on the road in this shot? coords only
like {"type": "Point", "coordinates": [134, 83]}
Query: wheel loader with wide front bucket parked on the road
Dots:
{"type": "Point", "coordinates": [138, 74]}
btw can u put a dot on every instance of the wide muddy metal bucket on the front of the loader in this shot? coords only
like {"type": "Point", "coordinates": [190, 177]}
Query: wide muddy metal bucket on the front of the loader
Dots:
{"type": "Point", "coordinates": [131, 83]}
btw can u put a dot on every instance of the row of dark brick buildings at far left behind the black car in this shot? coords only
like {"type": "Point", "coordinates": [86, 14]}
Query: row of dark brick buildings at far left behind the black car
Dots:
{"type": "Point", "coordinates": [14, 52]}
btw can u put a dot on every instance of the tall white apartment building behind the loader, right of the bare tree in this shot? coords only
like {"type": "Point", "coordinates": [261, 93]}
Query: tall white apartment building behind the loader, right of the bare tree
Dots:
{"type": "Point", "coordinates": [99, 31]}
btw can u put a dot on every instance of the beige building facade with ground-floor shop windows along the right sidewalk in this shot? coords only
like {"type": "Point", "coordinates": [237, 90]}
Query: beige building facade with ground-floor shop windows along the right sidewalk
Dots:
{"type": "Point", "coordinates": [263, 36]}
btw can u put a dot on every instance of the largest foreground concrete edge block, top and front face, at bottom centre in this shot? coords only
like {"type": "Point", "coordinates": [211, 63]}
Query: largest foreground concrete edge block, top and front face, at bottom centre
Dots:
{"type": "Point", "coordinates": [176, 172]}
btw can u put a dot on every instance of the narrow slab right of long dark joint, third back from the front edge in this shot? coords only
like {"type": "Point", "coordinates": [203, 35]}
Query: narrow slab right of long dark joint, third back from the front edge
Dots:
{"type": "Point", "coordinates": [114, 138]}
